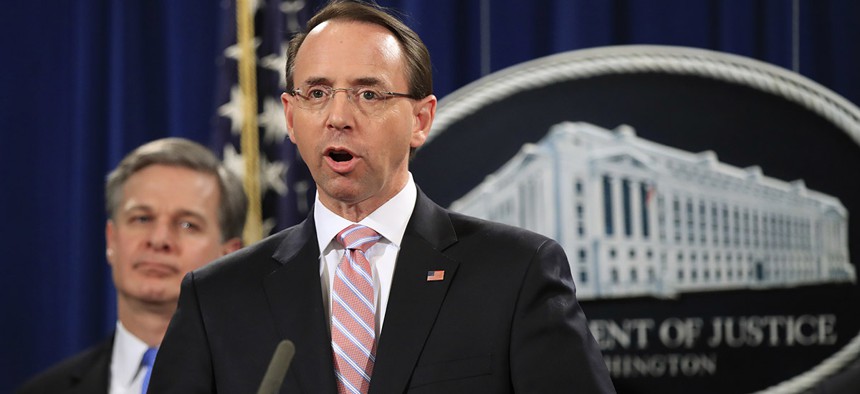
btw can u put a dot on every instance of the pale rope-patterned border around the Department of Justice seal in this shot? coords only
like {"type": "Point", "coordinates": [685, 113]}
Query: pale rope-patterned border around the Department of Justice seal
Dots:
{"type": "Point", "coordinates": [638, 59]}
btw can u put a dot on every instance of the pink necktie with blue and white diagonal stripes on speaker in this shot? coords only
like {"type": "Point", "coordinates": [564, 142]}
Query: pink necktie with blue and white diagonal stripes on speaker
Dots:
{"type": "Point", "coordinates": [353, 312]}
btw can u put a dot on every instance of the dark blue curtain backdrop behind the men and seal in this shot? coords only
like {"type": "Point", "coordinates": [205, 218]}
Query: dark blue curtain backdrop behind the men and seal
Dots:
{"type": "Point", "coordinates": [85, 82]}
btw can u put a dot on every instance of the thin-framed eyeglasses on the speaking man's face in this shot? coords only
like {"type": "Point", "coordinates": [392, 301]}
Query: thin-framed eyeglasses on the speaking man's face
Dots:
{"type": "Point", "coordinates": [368, 100]}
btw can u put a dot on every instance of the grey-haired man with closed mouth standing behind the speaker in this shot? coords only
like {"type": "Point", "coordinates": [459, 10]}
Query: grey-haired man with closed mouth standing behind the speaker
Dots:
{"type": "Point", "coordinates": [172, 207]}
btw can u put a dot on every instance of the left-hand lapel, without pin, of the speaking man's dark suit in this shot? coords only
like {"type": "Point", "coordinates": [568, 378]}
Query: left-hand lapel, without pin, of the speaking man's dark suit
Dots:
{"type": "Point", "coordinates": [295, 301]}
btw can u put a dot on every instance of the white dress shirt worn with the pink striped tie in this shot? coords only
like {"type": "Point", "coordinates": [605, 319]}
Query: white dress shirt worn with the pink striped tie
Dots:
{"type": "Point", "coordinates": [390, 221]}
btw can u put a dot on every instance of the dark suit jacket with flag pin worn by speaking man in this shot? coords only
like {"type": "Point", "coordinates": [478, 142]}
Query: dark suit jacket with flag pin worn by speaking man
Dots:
{"type": "Point", "coordinates": [504, 319]}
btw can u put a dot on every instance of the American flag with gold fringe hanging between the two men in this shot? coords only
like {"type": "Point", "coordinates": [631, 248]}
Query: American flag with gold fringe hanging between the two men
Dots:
{"type": "Point", "coordinates": [285, 185]}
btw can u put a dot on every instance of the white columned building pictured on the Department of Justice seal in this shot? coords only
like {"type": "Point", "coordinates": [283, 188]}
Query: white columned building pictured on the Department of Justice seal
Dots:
{"type": "Point", "coordinates": [638, 218]}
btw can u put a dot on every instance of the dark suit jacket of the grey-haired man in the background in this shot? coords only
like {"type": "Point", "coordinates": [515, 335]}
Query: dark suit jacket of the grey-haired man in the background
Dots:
{"type": "Point", "coordinates": [87, 372]}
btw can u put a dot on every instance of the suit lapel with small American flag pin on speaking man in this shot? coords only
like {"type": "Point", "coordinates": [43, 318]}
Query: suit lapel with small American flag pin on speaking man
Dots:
{"type": "Point", "coordinates": [414, 301]}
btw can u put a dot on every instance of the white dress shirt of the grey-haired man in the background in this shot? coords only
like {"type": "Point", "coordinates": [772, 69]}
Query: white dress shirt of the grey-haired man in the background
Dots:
{"type": "Point", "coordinates": [126, 373]}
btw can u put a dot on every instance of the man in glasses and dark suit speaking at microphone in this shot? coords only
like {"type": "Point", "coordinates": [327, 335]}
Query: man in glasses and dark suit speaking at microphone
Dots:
{"type": "Point", "coordinates": [461, 305]}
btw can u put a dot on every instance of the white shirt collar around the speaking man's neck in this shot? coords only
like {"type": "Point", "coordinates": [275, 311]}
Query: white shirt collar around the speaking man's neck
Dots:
{"type": "Point", "coordinates": [389, 220]}
